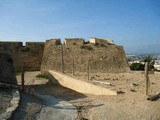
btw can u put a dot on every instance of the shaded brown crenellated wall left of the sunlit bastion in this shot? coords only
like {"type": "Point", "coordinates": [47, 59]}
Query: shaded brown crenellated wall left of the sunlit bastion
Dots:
{"type": "Point", "coordinates": [27, 57]}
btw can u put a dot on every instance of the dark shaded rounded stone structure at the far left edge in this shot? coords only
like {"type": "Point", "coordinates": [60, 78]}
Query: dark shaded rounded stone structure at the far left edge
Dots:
{"type": "Point", "coordinates": [7, 72]}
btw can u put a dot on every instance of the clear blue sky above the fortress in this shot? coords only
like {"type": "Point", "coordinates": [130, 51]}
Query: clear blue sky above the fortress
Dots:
{"type": "Point", "coordinates": [135, 24]}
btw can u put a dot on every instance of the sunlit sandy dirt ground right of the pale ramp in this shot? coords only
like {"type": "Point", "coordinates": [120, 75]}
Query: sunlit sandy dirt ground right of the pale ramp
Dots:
{"type": "Point", "coordinates": [132, 103]}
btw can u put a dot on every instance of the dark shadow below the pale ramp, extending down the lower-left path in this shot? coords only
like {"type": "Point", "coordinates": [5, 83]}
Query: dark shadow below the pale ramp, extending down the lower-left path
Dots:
{"type": "Point", "coordinates": [31, 105]}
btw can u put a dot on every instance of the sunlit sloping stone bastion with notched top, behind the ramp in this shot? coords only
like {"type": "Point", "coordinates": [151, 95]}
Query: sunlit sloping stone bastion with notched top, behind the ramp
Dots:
{"type": "Point", "coordinates": [102, 56]}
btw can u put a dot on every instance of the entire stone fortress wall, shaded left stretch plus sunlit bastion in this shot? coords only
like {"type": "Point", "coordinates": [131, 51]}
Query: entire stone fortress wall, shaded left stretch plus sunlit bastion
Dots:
{"type": "Point", "coordinates": [102, 55]}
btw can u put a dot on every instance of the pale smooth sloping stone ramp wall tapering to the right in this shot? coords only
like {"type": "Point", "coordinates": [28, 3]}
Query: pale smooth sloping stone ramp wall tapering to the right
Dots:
{"type": "Point", "coordinates": [79, 85]}
